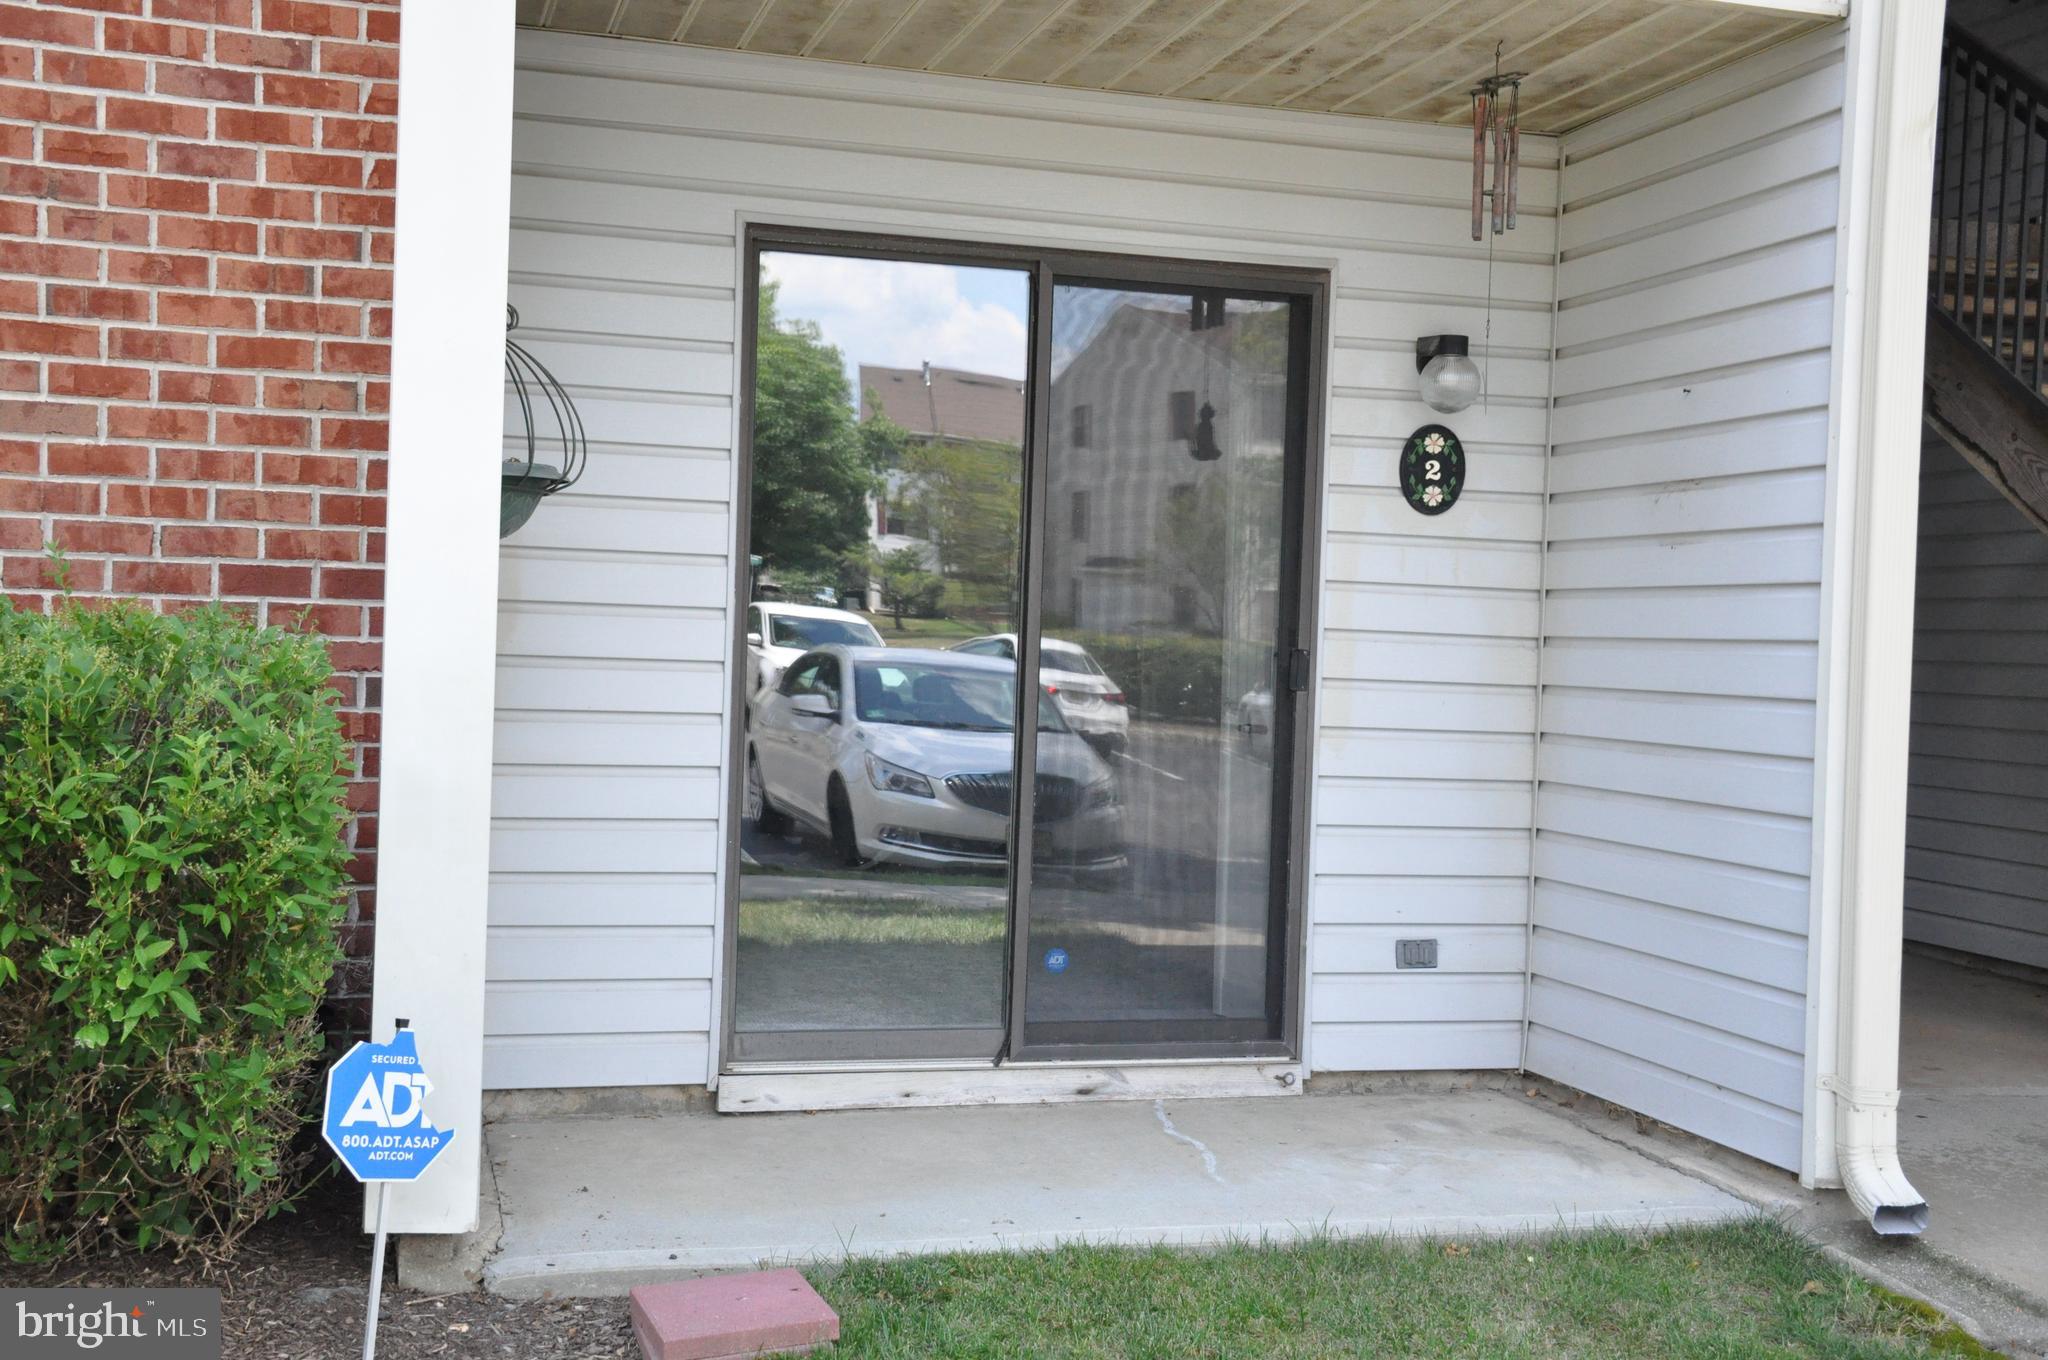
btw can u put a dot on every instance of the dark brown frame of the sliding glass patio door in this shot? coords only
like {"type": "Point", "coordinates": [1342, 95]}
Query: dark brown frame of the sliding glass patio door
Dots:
{"type": "Point", "coordinates": [1293, 710]}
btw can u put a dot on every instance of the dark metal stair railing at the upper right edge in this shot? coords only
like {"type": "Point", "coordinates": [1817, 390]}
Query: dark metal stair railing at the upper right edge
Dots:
{"type": "Point", "coordinates": [1990, 206]}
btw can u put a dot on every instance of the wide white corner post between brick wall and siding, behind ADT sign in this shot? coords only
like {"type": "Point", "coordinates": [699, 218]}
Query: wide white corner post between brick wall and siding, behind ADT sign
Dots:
{"type": "Point", "coordinates": [441, 579]}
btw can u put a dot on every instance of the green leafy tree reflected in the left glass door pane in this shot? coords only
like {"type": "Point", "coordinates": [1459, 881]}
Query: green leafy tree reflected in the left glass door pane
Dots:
{"type": "Point", "coordinates": [814, 468]}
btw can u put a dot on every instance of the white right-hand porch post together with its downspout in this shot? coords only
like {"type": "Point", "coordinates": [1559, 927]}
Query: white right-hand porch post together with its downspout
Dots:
{"type": "Point", "coordinates": [1869, 656]}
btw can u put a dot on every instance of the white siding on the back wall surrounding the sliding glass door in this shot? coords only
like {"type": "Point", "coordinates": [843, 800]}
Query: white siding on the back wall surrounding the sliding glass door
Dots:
{"type": "Point", "coordinates": [634, 173]}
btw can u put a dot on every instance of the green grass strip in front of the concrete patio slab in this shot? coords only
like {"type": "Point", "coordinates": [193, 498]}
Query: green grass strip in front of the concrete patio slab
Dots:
{"type": "Point", "coordinates": [1727, 1293]}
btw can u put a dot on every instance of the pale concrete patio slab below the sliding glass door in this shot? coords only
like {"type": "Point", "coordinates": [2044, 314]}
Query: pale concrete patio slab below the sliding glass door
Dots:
{"type": "Point", "coordinates": [599, 1205]}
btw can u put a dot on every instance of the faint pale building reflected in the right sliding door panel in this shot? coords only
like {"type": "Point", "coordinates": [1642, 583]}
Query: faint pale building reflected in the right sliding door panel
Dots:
{"type": "Point", "coordinates": [1146, 534]}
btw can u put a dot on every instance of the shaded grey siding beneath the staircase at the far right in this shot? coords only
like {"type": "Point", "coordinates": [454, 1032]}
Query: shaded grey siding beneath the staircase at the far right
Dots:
{"type": "Point", "coordinates": [1977, 808]}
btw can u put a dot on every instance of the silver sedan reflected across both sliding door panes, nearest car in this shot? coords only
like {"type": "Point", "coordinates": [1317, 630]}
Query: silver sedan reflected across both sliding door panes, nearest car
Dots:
{"type": "Point", "coordinates": [904, 755]}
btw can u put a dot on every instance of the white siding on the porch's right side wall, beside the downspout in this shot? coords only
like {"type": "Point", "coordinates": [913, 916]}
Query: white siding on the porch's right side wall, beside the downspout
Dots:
{"type": "Point", "coordinates": [1680, 613]}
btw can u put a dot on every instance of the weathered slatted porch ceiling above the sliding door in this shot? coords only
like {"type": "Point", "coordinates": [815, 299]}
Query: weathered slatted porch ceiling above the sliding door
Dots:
{"type": "Point", "coordinates": [1371, 58]}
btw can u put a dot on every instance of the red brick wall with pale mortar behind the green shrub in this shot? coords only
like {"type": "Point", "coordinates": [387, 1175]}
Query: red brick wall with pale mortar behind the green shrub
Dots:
{"type": "Point", "coordinates": [196, 280]}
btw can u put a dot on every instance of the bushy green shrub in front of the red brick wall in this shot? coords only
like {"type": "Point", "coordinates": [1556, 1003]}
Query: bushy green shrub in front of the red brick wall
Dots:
{"type": "Point", "coordinates": [171, 880]}
